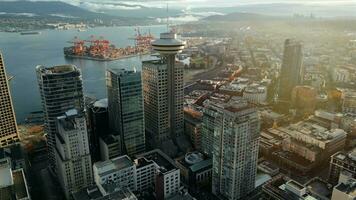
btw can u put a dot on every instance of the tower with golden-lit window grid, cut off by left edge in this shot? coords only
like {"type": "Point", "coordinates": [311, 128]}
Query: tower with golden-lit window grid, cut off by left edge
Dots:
{"type": "Point", "coordinates": [8, 126]}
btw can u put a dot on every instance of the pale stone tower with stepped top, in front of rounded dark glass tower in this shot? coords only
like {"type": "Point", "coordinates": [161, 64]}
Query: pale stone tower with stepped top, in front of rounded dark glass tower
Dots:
{"type": "Point", "coordinates": [72, 153]}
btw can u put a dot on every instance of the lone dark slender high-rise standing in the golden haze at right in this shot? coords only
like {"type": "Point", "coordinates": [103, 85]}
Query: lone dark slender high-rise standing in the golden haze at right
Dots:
{"type": "Point", "coordinates": [291, 72]}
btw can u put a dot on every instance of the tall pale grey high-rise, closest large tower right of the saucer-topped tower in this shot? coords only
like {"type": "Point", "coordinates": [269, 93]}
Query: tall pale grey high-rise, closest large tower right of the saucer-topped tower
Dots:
{"type": "Point", "coordinates": [235, 149]}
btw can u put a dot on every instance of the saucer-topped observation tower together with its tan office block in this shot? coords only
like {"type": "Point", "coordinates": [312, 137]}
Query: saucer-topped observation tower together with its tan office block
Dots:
{"type": "Point", "coordinates": [163, 89]}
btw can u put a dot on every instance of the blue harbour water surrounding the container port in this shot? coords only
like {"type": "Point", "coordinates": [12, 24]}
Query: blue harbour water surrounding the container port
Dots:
{"type": "Point", "coordinates": [22, 53]}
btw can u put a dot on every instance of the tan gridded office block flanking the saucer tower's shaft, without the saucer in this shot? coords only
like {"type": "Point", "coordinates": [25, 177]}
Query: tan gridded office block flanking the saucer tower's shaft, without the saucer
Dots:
{"type": "Point", "coordinates": [155, 81]}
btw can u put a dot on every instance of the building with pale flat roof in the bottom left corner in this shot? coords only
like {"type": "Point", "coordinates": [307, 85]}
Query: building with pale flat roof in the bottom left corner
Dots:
{"type": "Point", "coordinates": [13, 184]}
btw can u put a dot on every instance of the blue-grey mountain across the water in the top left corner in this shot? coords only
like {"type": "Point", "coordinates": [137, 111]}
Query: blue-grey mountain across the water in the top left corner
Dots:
{"type": "Point", "coordinates": [45, 8]}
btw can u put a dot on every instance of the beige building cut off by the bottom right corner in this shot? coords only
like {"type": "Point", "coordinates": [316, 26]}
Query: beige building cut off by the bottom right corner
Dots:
{"type": "Point", "coordinates": [346, 189]}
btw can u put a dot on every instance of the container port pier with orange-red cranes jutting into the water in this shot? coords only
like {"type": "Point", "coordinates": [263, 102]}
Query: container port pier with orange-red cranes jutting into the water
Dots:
{"type": "Point", "coordinates": [101, 49]}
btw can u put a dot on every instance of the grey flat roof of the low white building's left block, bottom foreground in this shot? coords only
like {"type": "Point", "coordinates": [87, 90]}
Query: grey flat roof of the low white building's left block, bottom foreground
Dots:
{"type": "Point", "coordinates": [113, 165]}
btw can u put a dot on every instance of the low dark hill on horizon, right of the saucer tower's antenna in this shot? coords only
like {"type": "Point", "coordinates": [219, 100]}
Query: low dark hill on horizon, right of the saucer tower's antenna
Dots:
{"type": "Point", "coordinates": [239, 17]}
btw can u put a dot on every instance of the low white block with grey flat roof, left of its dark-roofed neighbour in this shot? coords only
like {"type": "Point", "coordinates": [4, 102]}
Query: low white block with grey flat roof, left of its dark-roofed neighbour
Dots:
{"type": "Point", "coordinates": [119, 172]}
